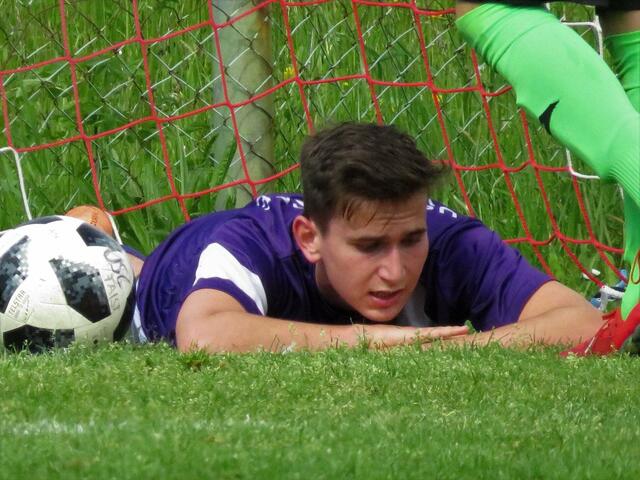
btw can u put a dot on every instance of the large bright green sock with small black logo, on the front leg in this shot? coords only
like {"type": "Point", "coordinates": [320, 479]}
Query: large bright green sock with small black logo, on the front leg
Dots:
{"type": "Point", "coordinates": [564, 83]}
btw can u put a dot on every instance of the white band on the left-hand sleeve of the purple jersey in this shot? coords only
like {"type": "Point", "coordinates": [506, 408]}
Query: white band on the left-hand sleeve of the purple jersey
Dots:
{"type": "Point", "coordinates": [217, 262]}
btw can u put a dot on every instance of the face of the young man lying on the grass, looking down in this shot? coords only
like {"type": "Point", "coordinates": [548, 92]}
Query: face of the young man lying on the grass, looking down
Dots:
{"type": "Point", "coordinates": [372, 262]}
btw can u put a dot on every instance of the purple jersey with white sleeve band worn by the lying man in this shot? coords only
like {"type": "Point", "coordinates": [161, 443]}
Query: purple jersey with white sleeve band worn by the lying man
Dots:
{"type": "Point", "coordinates": [250, 254]}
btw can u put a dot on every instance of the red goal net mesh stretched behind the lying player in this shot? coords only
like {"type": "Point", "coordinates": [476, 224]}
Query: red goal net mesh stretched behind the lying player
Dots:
{"type": "Point", "coordinates": [470, 120]}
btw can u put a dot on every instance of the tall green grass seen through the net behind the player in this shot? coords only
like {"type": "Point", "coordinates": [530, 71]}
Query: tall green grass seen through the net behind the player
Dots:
{"type": "Point", "coordinates": [131, 167]}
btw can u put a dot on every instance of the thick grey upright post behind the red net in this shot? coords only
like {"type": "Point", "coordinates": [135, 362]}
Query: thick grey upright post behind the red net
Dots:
{"type": "Point", "coordinates": [245, 49]}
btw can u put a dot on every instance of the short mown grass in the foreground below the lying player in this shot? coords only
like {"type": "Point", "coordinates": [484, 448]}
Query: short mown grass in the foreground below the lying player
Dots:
{"type": "Point", "coordinates": [150, 412]}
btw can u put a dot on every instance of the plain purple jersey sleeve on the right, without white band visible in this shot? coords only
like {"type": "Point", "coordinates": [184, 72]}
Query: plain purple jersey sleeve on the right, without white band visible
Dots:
{"type": "Point", "coordinates": [481, 278]}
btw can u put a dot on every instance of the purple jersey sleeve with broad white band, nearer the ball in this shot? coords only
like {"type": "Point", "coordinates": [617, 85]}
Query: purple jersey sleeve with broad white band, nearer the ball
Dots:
{"type": "Point", "coordinates": [238, 262]}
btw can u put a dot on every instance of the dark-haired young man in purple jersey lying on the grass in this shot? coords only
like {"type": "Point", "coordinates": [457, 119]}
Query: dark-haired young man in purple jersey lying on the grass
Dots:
{"type": "Point", "coordinates": [367, 256]}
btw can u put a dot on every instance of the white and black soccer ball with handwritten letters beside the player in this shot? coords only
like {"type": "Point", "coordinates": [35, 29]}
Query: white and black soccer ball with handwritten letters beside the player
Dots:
{"type": "Point", "coordinates": [62, 280]}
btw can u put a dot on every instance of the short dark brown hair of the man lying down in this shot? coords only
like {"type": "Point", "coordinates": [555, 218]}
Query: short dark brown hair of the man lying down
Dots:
{"type": "Point", "coordinates": [355, 162]}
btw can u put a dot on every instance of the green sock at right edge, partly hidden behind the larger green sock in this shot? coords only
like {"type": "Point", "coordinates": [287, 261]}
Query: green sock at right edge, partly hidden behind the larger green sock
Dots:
{"type": "Point", "coordinates": [625, 54]}
